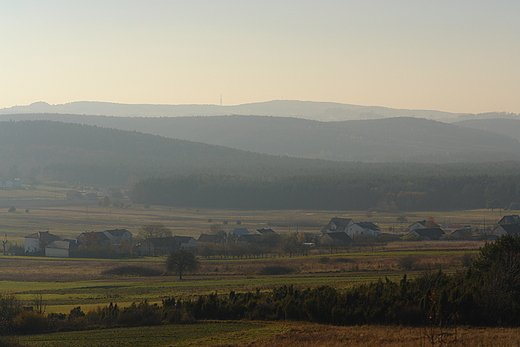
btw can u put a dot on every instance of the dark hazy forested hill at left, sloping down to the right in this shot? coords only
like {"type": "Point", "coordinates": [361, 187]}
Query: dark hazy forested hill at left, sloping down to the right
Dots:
{"type": "Point", "coordinates": [48, 150]}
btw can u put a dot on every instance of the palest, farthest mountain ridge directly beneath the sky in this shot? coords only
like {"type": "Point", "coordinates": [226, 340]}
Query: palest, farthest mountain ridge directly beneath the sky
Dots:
{"type": "Point", "coordinates": [322, 111]}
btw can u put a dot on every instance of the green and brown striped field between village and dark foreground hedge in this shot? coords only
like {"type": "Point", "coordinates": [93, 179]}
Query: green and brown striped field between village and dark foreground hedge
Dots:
{"type": "Point", "coordinates": [65, 283]}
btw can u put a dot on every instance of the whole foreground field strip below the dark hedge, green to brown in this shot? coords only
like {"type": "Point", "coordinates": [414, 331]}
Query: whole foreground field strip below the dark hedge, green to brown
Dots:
{"type": "Point", "coordinates": [279, 334]}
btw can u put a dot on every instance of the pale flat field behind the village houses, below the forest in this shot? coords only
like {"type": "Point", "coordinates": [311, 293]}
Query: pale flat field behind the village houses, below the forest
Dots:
{"type": "Point", "coordinates": [48, 209]}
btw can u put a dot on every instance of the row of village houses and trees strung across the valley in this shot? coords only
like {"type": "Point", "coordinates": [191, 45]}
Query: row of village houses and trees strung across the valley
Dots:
{"type": "Point", "coordinates": [339, 234]}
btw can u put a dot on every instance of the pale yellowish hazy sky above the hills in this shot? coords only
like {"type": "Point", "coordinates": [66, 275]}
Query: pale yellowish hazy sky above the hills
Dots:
{"type": "Point", "coordinates": [455, 56]}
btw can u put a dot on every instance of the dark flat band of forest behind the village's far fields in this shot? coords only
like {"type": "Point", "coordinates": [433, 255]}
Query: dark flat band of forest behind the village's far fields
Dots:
{"type": "Point", "coordinates": [354, 191]}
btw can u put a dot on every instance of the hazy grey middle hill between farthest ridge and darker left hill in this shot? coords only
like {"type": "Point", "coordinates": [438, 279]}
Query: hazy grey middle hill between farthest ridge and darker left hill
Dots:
{"type": "Point", "coordinates": [382, 140]}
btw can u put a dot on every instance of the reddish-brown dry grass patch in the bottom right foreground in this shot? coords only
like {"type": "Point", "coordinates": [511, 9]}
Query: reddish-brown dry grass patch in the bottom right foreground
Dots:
{"type": "Point", "coordinates": [313, 335]}
